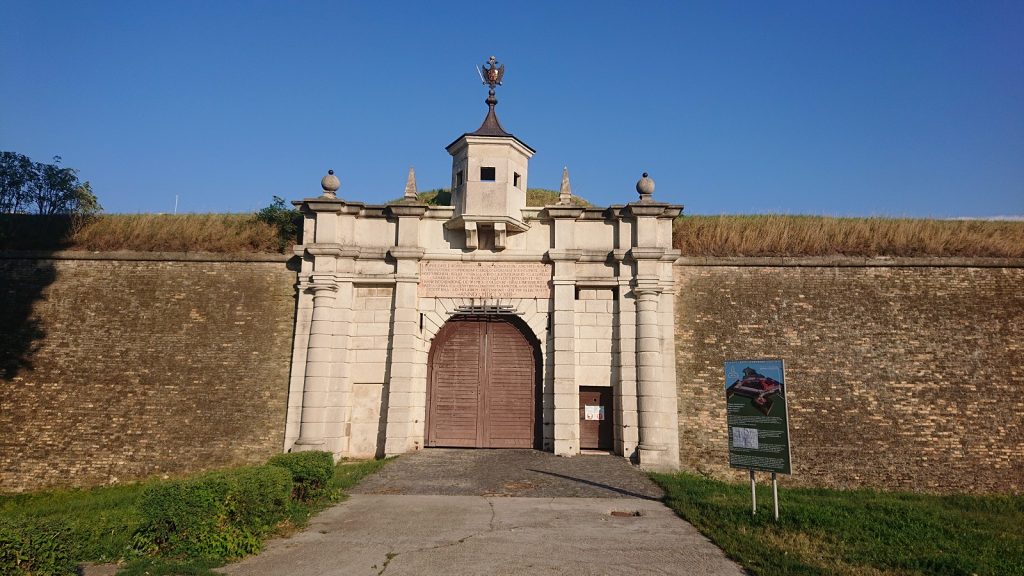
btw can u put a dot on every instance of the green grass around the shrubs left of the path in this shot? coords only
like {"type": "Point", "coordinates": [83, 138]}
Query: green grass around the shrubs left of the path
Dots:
{"type": "Point", "coordinates": [102, 522]}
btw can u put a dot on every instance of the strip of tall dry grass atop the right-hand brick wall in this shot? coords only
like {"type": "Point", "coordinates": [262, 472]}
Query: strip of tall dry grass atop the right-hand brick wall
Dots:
{"type": "Point", "coordinates": [775, 235]}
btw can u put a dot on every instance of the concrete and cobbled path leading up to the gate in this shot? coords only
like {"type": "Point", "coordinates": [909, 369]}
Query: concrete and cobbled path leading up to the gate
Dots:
{"type": "Point", "coordinates": [394, 533]}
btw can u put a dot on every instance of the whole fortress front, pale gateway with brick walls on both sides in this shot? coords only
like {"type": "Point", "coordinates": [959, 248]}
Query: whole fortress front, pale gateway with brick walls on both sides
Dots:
{"type": "Point", "coordinates": [491, 323]}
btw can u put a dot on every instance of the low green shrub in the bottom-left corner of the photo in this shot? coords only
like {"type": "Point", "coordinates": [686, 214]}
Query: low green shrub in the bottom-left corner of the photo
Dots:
{"type": "Point", "coordinates": [31, 547]}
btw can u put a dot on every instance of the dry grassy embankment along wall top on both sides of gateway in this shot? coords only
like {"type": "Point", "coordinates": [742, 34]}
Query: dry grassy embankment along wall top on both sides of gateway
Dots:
{"type": "Point", "coordinates": [770, 235]}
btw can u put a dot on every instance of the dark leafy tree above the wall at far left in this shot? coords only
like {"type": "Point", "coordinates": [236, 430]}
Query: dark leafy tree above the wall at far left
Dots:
{"type": "Point", "coordinates": [48, 188]}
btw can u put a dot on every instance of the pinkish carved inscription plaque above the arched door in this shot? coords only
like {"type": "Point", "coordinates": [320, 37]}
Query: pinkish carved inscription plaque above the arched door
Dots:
{"type": "Point", "coordinates": [485, 280]}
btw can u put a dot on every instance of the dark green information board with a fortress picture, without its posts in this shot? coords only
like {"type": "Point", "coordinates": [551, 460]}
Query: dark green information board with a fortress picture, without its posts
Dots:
{"type": "Point", "coordinates": [757, 416]}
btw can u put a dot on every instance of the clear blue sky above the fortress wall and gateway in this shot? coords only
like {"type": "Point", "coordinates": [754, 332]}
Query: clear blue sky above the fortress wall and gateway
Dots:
{"type": "Point", "coordinates": [899, 109]}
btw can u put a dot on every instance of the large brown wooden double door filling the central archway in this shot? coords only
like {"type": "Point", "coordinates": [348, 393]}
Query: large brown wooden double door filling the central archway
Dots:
{"type": "Point", "coordinates": [483, 385]}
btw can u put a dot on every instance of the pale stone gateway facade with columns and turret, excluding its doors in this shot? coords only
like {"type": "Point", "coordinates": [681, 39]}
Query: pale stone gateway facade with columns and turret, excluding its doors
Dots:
{"type": "Point", "coordinates": [377, 283]}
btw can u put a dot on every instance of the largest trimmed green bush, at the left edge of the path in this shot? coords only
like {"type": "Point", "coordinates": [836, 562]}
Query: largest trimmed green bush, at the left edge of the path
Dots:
{"type": "Point", "coordinates": [220, 515]}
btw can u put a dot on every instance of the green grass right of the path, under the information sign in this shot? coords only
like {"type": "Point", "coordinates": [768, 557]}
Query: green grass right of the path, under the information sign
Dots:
{"type": "Point", "coordinates": [855, 532]}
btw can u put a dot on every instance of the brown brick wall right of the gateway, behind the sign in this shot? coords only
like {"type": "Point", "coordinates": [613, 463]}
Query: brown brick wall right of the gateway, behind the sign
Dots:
{"type": "Point", "coordinates": [902, 377]}
